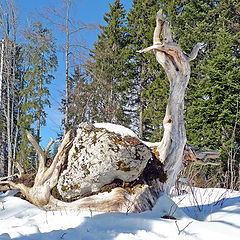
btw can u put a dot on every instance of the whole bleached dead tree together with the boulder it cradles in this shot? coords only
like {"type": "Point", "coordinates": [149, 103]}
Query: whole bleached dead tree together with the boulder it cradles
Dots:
{"type": "Point", "coordinates": [104, 171]}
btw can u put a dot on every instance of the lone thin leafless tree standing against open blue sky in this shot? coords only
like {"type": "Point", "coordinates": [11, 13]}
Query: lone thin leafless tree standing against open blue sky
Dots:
{"type": "Point", "coordinates": [69, 27]}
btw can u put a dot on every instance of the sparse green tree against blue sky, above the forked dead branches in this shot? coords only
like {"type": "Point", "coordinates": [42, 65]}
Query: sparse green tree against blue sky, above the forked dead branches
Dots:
{"type": "Point", "coordinates": [41, 63]}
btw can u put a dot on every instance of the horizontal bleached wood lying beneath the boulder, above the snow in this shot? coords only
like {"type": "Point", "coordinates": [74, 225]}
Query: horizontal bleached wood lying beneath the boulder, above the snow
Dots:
{"type": "Point", "coordinates": [118, 200]}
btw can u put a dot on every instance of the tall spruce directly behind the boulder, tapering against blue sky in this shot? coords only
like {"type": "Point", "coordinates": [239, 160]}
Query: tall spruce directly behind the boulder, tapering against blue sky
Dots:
{"type": "Point", "coordinates": [108, 68]}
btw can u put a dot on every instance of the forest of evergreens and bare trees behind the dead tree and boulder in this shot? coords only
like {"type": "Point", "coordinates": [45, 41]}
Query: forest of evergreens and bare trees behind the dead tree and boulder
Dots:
{"type": "Point", "coordinates": [111, 82]}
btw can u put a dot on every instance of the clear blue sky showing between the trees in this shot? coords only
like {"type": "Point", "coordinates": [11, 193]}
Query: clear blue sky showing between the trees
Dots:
{"type": "Point", "coordinates": [88, 11]}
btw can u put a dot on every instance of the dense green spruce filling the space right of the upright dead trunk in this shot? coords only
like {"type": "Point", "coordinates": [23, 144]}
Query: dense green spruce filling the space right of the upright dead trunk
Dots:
{"type": "Point", "coordinates": [212, 111]}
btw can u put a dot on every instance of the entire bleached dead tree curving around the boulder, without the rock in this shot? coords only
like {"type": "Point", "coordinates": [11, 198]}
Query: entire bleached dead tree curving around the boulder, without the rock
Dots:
{"type": "Point", "coordinates": [171, 149]}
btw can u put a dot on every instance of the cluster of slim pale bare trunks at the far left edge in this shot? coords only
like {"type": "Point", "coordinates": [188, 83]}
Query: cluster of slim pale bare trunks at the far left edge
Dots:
{"type": "Point", "coordinates": [9, 95]}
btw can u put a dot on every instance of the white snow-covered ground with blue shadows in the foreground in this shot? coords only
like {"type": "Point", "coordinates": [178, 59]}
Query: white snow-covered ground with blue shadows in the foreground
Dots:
{"type": "Point", "coordinates": [201, 214]}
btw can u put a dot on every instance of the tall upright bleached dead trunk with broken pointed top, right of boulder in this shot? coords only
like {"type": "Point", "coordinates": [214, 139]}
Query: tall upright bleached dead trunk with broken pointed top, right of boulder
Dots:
{"type": "Point", "coordinates": [177, 66]}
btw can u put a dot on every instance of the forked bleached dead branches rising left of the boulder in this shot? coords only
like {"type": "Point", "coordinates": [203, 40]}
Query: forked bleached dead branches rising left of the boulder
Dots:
{"type": "Point", "coordinates": [46, 177]}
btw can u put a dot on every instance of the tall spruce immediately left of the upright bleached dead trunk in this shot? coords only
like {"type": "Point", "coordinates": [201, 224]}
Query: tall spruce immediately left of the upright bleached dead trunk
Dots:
{"type": "Point", "coordinates": [150, 85]}
